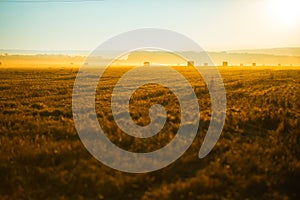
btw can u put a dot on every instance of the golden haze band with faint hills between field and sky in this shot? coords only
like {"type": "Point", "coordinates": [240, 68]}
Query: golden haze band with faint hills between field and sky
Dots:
{"type": "Point", "coordinates": [267, 57]}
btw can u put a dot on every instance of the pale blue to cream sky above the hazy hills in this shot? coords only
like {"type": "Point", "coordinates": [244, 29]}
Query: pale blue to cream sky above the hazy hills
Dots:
{"type": "Point", "coordinates": [215, 25]}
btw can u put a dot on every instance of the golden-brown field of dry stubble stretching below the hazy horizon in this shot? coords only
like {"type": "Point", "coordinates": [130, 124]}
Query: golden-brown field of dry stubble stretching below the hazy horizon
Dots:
{"type": "Point", "coordinates": [256, 157]}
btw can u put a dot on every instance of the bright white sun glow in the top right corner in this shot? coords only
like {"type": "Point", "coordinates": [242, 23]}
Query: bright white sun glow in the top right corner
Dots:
{"type": "Point", "coordinates": [286, 11]}
